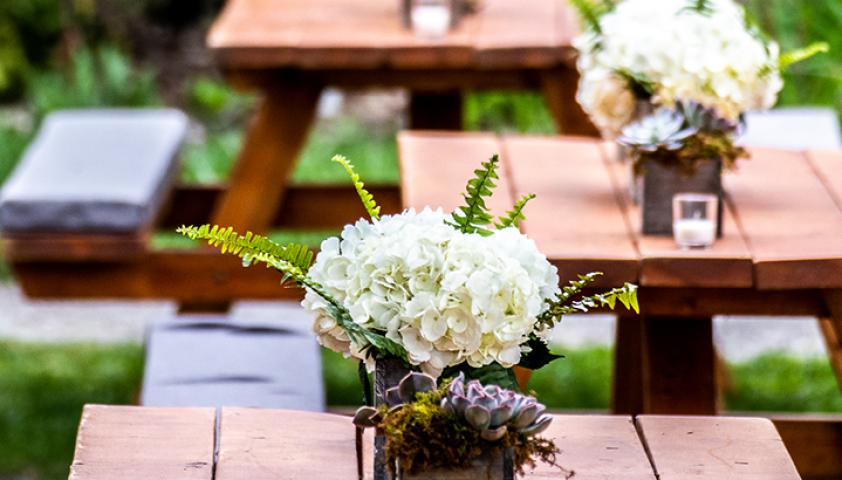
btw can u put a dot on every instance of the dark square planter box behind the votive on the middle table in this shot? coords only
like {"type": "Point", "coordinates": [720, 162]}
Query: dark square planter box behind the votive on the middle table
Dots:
{"type": "Point", "coordinates": [661, 182]}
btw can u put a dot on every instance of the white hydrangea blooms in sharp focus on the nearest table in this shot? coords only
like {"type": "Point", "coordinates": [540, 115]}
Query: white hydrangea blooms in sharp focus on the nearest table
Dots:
{"type": "Point", "coordinates": [445, 296]}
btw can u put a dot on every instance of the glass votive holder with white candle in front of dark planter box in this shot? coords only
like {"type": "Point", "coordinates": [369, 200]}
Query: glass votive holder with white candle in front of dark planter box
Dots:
{"type": "Point", "coordinates": [694, 219]}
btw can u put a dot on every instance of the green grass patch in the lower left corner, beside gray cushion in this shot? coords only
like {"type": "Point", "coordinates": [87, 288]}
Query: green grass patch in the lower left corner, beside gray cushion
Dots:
{"type": "Point", "coordinates": [42, 390]}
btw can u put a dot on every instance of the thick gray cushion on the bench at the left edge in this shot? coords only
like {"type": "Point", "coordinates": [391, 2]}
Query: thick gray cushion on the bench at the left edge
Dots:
{"type": "Point", "coordinates": [94, 171]}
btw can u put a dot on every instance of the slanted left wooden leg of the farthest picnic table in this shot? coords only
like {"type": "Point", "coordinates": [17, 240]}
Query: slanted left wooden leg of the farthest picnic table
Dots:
{"type": "Point", "coordinates": [274, 139]}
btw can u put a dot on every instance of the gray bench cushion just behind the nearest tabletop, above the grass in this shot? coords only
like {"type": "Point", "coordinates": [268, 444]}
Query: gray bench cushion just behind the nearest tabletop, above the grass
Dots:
{"type": "Point", "coordinates": [214, 361]}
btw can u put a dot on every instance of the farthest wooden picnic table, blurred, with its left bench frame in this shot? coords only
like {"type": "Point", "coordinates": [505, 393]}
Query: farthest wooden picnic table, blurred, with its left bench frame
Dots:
{"type": "Point", "coordinates": [288, 51]}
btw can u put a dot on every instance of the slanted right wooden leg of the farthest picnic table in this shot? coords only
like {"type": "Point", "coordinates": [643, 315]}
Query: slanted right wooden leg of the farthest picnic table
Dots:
{"type": "Point", "coordinates": [559, 88]}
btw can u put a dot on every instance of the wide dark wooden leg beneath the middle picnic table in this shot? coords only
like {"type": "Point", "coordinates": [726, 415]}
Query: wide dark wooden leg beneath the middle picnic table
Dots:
{"type": "Point", "coordinates": [679, 366]}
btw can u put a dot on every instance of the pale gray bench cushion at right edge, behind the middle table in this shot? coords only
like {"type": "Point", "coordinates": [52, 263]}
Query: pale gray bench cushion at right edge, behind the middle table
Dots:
{"type": "Point", "coordinates": [798, 128]}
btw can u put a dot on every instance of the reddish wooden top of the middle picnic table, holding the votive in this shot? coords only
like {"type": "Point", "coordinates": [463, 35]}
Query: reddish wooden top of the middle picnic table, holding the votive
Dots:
{"type": "Point", "coordinates": [782, 226]}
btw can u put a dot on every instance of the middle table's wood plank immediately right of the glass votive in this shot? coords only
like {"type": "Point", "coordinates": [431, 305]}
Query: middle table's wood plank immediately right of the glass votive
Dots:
{"type": "Point", "coordinates": [789, 219]}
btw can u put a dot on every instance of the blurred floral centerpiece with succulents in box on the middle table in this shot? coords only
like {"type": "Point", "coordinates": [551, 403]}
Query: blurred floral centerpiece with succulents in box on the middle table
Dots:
{"type": "Point", "coordinates": [672, 79]}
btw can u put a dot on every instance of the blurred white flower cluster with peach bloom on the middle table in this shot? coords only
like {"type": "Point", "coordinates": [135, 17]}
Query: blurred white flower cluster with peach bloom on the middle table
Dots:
{"type": "Point", "coordinates": [711, 58]}
